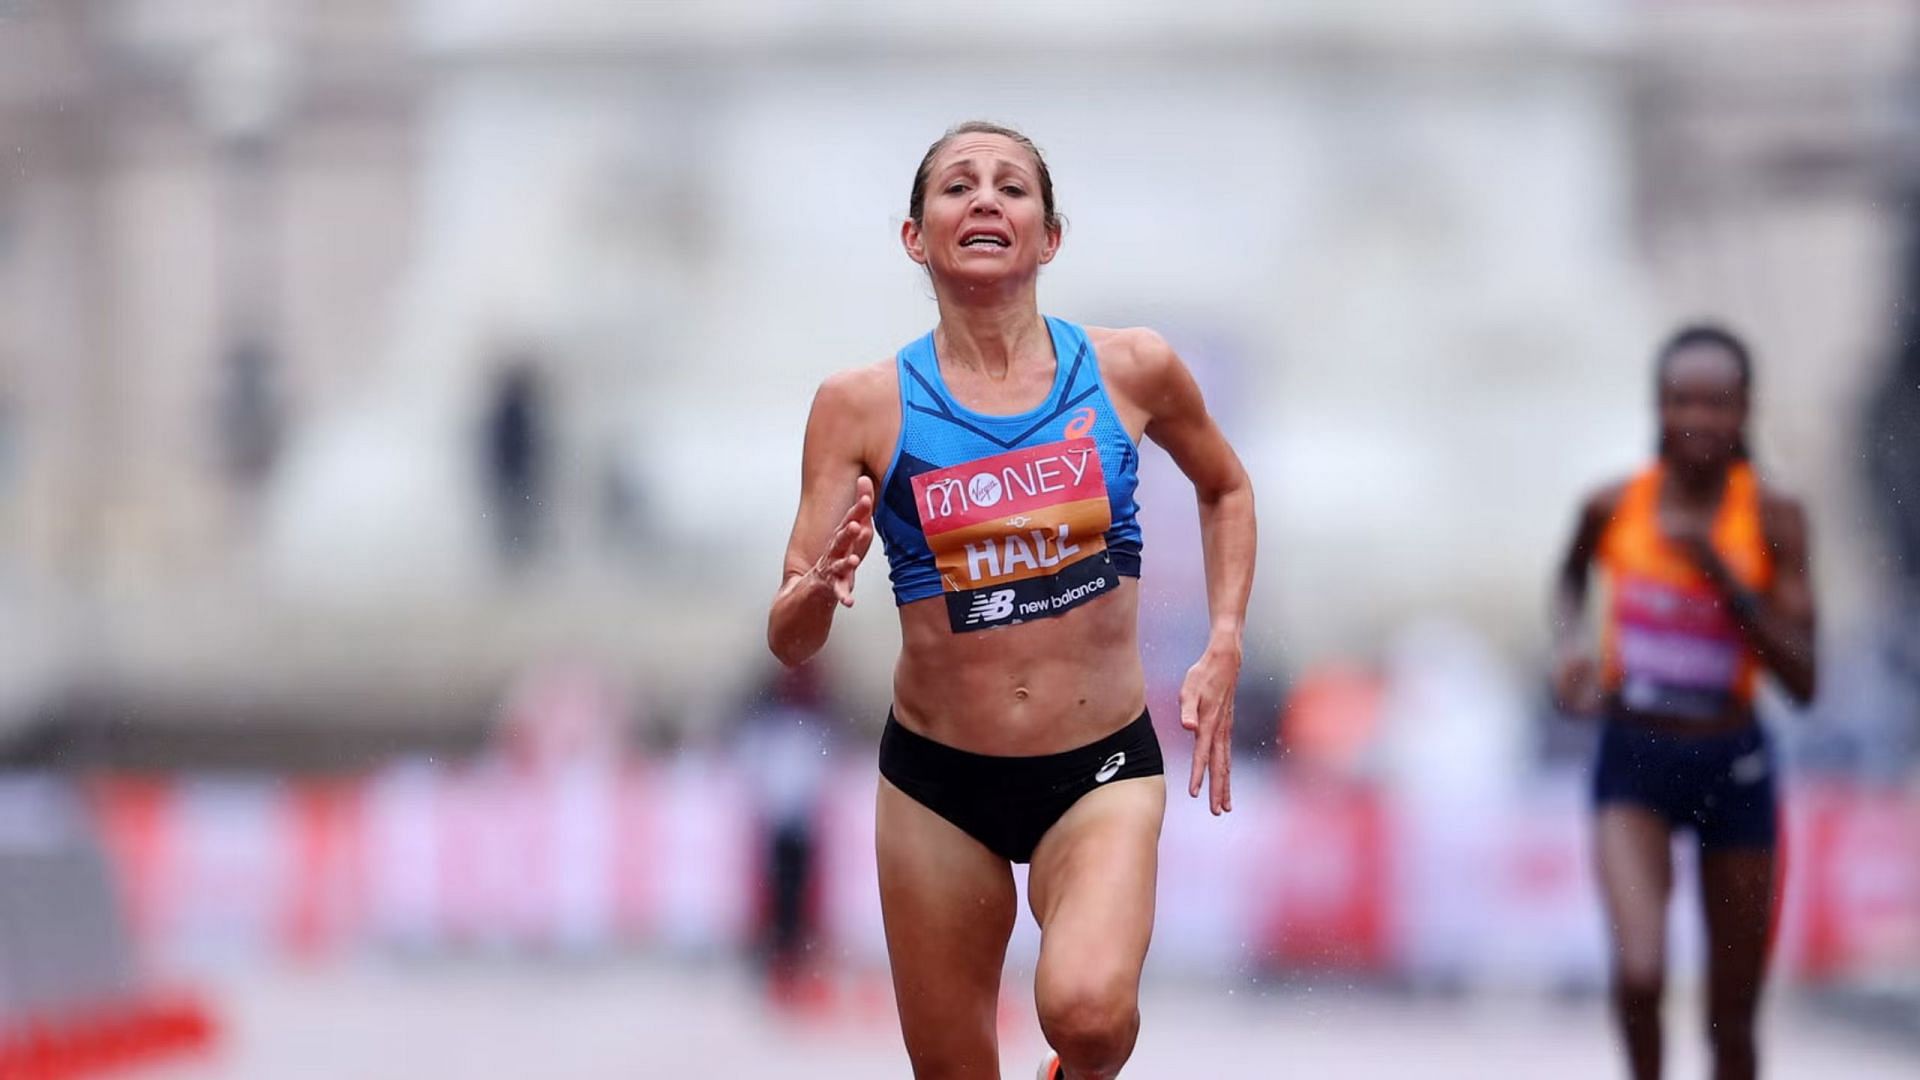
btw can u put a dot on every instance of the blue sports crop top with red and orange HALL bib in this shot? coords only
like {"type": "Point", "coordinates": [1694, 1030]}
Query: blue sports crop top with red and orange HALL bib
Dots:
{"type": "Point", "coordinates": [1009, 518]}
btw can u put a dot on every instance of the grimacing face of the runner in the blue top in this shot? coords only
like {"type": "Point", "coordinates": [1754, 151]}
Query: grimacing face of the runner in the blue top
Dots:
{"type": "Point", "coordinates": [984, 218]}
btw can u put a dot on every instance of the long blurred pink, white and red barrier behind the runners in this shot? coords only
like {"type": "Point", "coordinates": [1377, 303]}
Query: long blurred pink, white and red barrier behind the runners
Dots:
{"type": "Point", "coordinates": [1303, 879]}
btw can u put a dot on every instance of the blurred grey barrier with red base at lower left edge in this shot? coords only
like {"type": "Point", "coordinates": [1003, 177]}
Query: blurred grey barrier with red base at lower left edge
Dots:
{"type": "Point", "coordinates": [72, 998]}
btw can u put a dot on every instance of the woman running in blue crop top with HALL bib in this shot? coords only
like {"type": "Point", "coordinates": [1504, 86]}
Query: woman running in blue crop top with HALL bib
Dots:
{"type": "Point", "coordinates": [996, 458]}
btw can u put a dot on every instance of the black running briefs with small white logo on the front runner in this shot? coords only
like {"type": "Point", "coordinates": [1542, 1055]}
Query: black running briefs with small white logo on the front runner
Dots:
{"type": "Point", "coordinates": [1011, 802]}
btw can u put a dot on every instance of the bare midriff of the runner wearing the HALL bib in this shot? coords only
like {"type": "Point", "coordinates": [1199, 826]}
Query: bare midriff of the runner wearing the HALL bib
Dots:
{"type": "Point", "coordinates": [1020, 691]}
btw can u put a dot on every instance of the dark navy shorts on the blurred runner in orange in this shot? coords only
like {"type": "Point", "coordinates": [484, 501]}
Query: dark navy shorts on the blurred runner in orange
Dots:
{"type": "Point", "coordinates": [1717, 785]}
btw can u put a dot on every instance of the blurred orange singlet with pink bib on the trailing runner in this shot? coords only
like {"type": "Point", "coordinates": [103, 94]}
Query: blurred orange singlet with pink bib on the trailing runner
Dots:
{"type": "Point", "coordinates": [1671, 647]}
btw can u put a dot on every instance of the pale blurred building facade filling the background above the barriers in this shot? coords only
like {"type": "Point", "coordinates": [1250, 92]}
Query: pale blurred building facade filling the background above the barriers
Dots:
{"type": "Point", "coordinates": [264, 270]}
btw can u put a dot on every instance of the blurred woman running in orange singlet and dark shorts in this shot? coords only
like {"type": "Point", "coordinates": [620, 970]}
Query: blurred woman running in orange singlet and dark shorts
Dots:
{"type": "Point", "coordinates": [1708, 572]}
